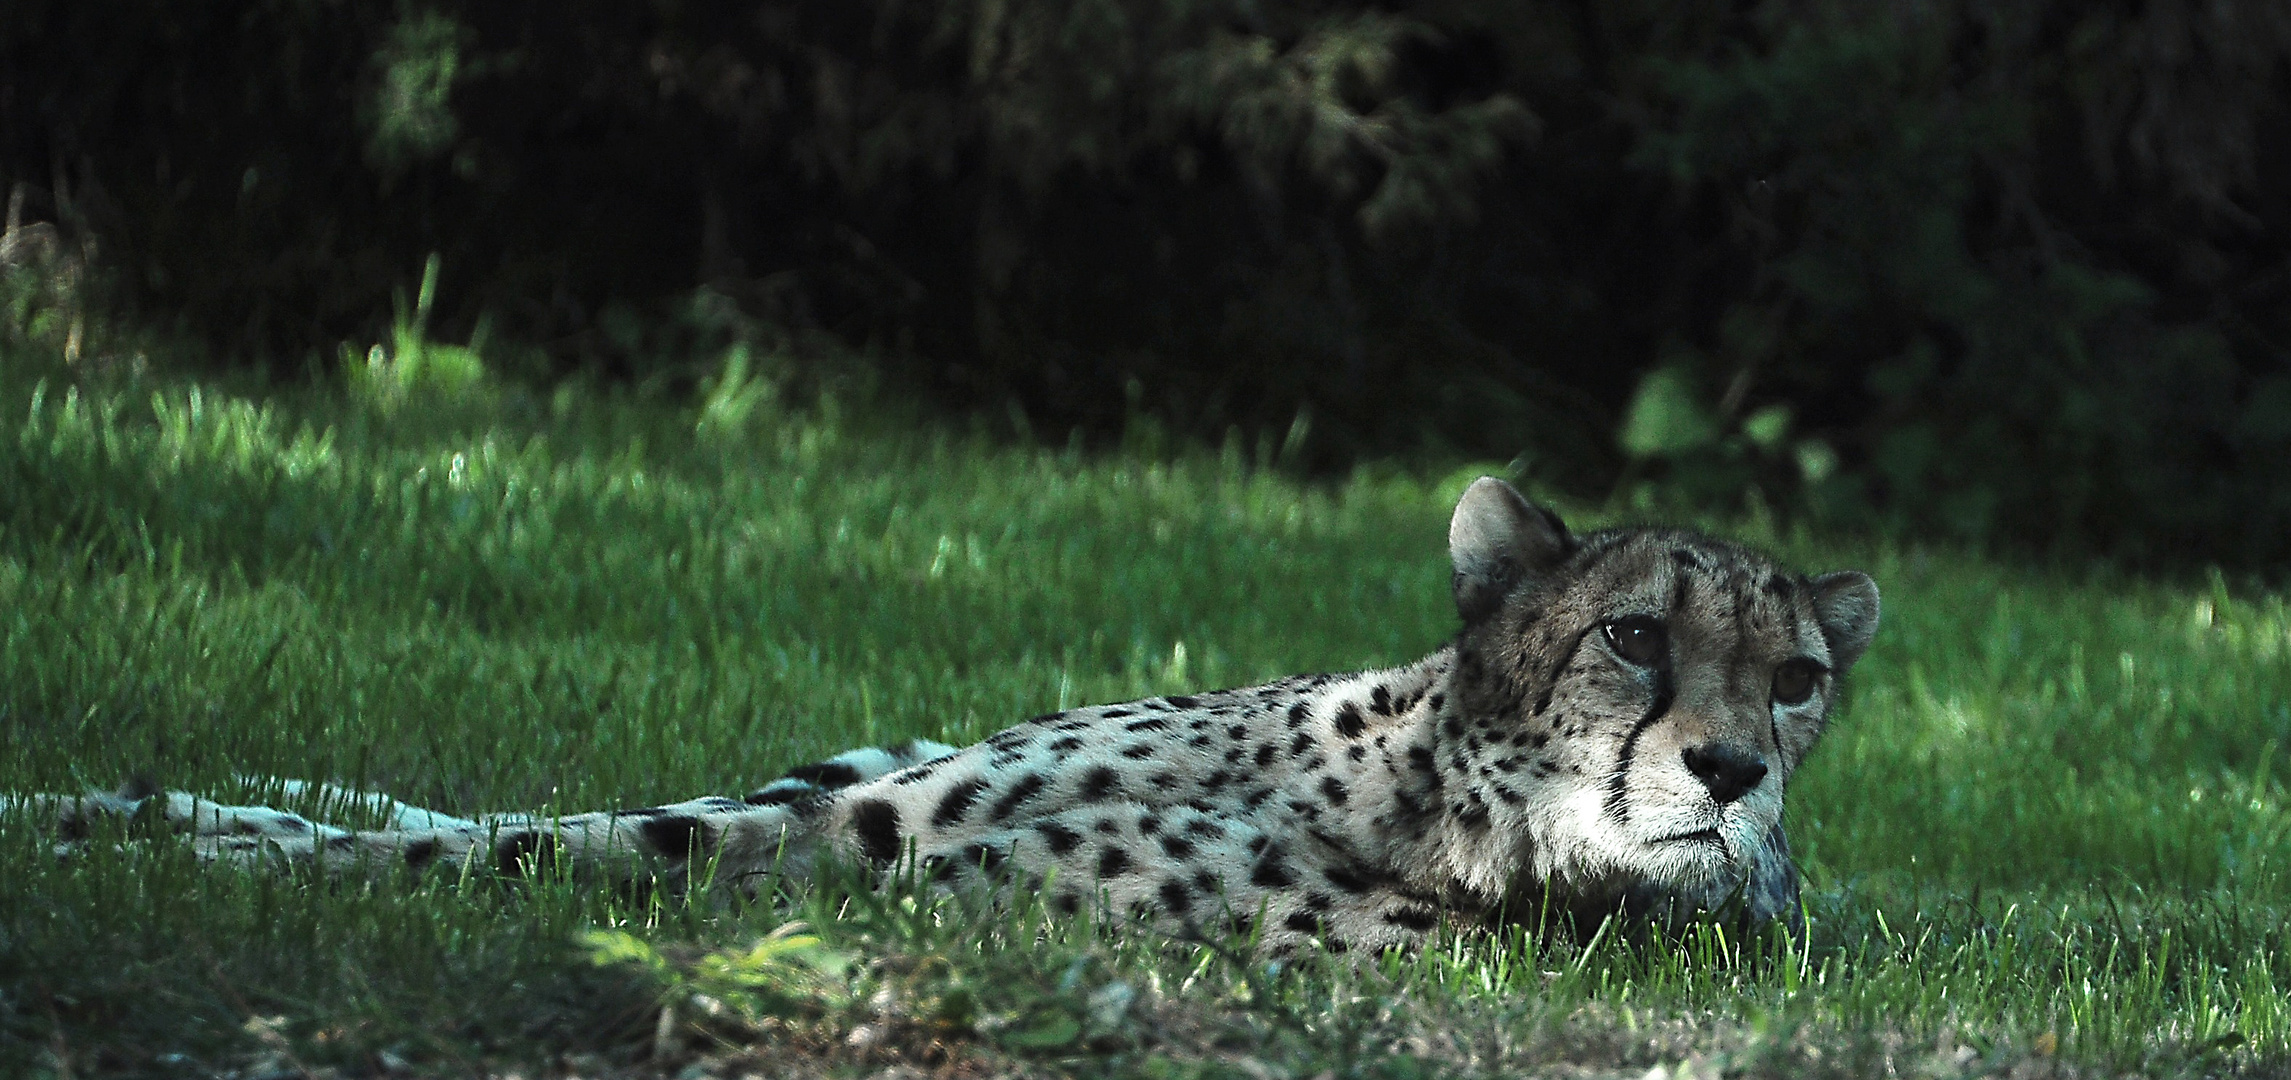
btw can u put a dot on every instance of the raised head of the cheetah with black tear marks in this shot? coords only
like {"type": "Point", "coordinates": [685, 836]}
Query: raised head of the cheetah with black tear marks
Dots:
{"type": "Point", "coordinates": [1642, 698]}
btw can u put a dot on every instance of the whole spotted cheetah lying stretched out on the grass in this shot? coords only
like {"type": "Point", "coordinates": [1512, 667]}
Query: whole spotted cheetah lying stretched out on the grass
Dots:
{"type": "Point", "coordinates": [1609, 730]}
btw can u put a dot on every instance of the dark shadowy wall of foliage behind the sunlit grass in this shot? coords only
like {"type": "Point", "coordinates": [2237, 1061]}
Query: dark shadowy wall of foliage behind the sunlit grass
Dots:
{"type": "Point", "coordinates": [2013, 272]}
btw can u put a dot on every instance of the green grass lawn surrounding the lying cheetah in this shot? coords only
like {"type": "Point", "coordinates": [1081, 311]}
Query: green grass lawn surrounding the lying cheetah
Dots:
{"type": "Point", "coordinates": [2049, 829]}
